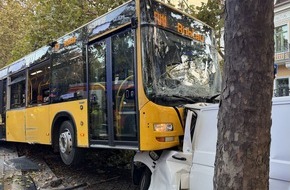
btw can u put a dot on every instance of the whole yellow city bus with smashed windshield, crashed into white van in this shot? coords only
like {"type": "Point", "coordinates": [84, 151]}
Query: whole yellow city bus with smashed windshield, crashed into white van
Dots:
{"type": "Point", "coordinates": [120, 81]}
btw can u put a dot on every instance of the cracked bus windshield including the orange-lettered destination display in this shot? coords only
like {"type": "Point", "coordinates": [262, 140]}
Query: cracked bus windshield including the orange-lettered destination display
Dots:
{"type": "Point", "coordinates": [179, 58]}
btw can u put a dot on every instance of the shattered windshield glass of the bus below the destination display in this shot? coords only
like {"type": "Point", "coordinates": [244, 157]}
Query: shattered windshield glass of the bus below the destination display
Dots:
{"type": "Point", "coordinates": [177, 66]}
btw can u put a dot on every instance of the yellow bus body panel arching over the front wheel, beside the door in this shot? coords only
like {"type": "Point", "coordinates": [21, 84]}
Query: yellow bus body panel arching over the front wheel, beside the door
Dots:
{"type": "Point", "coordinates": [78, 111]}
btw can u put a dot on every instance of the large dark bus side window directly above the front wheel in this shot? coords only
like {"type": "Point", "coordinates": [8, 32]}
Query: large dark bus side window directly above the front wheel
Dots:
{"type": "Point", "coordinates": [68, 76]}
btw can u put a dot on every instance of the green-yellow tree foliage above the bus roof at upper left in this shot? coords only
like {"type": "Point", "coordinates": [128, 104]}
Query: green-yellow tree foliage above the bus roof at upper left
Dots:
{"type": "Point", "coordinates": [27, 25]}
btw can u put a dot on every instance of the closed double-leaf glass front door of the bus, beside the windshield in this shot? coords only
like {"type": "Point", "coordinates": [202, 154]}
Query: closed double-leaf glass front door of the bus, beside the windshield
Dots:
{"type": "Point", "coordinates": [112, 105]}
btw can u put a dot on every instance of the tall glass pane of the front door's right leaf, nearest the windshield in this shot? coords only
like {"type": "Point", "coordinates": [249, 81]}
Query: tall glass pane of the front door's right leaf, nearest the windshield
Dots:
{"type": "Point", "coordinates": [125, 126]}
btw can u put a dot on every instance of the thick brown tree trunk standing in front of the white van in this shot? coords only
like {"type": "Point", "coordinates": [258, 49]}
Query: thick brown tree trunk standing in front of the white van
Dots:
{"type": "Point", "coordinates": [244, 119]}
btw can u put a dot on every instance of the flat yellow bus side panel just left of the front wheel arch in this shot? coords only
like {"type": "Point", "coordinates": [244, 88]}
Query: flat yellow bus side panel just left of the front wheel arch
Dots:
{"type": "Point", "coordinates": [38, 125]}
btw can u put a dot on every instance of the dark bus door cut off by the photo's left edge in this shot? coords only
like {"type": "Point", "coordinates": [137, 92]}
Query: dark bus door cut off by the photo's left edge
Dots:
{"type": "Point", "coordinates": [3, 84]}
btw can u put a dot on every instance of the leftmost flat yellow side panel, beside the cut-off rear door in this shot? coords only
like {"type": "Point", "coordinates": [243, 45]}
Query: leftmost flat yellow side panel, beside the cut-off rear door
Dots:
{"type": "Point", "coordinates": [15, 125]}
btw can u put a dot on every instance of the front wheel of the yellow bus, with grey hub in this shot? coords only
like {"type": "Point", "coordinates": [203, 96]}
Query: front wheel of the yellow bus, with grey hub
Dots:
{"type": "Point", "coordinates": [68, 151]}
